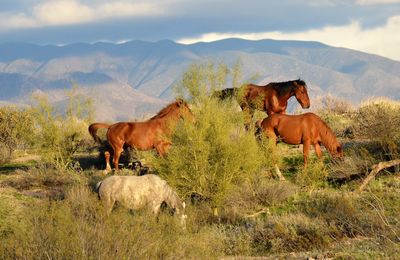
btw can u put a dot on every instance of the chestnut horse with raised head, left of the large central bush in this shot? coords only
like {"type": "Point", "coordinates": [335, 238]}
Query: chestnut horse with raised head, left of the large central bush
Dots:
{"type": "Point", "coordinates": [151, 134]}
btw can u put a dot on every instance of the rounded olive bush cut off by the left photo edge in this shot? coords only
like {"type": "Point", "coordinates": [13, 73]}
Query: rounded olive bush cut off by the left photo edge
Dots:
{"type": "Point", "coordinates": [15, 130]}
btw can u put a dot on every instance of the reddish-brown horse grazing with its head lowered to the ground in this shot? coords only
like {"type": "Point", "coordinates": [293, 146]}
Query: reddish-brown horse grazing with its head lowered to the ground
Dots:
{"type": "Point", "coordinates": [307, 129]}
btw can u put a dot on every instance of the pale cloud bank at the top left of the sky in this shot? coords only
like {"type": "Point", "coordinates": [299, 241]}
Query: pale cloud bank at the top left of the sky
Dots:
{"type": "Point", "coordinates": [68, 12]}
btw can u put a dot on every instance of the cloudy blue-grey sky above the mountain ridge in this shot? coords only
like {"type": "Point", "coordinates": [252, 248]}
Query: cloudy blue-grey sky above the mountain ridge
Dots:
{"type": "Point", "coordinates": [371, 26]}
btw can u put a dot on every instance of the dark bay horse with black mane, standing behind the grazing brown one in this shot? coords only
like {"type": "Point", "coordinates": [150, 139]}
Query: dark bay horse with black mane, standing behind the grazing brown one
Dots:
{"type": "Point", "coordinates": [271, 98]}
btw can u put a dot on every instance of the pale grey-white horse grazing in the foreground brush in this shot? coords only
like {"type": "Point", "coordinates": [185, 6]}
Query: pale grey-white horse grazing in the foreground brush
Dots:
{"type": "Point", "coordinates": [135, 192]}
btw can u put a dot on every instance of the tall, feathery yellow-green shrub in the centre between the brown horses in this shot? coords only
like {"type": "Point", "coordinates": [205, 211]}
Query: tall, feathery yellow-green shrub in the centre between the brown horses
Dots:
{"type": "Point", "coordinates": [209, 157]}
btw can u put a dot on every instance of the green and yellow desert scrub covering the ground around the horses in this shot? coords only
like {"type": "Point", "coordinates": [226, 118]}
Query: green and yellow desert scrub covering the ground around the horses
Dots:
{"type": "Point", "coordinates": [236, 206]}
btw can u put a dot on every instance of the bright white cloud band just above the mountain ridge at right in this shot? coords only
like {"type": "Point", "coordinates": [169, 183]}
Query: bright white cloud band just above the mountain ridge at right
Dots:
{"type": "Point", "coordinates": [383, 40]}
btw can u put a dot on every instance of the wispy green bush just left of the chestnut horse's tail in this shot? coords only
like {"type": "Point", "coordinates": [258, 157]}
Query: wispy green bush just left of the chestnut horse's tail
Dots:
{"type": "Point", "coordinates": [60, 134]}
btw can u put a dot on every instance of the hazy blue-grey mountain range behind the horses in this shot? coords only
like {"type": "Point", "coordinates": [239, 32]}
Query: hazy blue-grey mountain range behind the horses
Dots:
{"type": "Point", "coordinates": [135, 79]}
